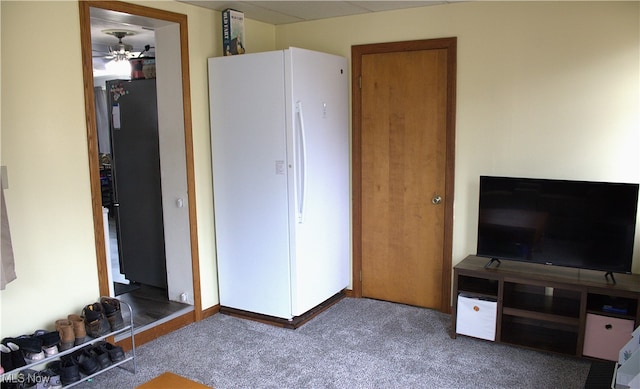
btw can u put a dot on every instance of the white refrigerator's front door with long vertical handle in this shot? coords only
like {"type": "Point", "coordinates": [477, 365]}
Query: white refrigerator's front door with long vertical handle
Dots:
{"type": "Point", "coordinates": [319, 153]}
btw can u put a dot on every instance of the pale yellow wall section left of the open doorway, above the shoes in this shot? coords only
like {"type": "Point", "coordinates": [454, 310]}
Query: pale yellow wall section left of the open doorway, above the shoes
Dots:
{"type": "Point", "coordinates": [45, 149]}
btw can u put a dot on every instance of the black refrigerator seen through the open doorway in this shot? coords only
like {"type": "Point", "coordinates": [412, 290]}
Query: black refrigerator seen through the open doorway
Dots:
{"type": "Point", "coordinates": [137, 192]}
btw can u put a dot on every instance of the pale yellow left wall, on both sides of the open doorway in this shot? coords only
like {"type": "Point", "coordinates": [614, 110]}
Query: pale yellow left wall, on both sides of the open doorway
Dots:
{"type": "Point", "coordinates": [44, 145]}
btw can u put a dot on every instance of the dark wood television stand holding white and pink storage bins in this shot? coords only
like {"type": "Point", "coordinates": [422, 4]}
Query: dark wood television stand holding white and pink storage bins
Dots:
{"type": "Point", "coordinates": [550, 308]}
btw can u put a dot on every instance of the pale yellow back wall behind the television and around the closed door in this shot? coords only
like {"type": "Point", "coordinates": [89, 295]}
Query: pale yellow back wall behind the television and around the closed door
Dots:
{"type": "Point", "coordinates": [544, 89]}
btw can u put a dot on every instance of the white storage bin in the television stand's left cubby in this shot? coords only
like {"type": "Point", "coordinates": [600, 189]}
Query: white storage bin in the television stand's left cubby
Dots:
{"type": "Point", "coordinates": [476, 317]}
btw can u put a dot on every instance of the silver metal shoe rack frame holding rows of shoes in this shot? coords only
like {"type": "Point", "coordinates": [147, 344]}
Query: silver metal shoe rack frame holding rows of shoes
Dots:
{"type": "Point", "coordinates": [12, 376]}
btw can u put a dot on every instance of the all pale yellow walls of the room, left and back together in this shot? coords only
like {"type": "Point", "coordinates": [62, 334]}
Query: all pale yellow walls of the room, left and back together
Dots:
{"type": "Point", "coordinates": [544, 89]}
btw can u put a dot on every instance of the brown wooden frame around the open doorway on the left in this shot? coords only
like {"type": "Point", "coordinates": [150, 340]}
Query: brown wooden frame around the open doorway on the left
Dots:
{"type": "Point", "coordinates": [92, 141]}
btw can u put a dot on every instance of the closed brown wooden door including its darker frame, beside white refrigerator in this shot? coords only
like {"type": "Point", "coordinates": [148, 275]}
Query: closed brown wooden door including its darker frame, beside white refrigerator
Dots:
{"type": "Point", "coordinates": [405, 171]}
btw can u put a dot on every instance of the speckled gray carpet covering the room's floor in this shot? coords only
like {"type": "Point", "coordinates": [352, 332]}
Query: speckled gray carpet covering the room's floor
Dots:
{"type": "Point", "coordinates": [357, 343]}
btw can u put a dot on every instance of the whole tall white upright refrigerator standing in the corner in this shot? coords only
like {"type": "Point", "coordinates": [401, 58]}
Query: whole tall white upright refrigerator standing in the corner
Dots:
{"type": "Point", "coordinates": [280, 155]}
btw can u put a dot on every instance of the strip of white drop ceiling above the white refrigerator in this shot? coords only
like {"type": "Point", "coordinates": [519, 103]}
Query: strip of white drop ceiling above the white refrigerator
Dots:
{"type": "Point", "coordinates": [284, 12]}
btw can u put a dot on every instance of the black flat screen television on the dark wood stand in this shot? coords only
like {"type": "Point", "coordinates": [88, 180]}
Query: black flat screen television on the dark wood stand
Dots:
{"type": "Point", "coordinates": [580, 224]}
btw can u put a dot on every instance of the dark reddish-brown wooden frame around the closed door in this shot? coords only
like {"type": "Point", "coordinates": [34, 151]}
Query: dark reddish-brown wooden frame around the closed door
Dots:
{"type": "Point", "coordinates": [357, 52]}
